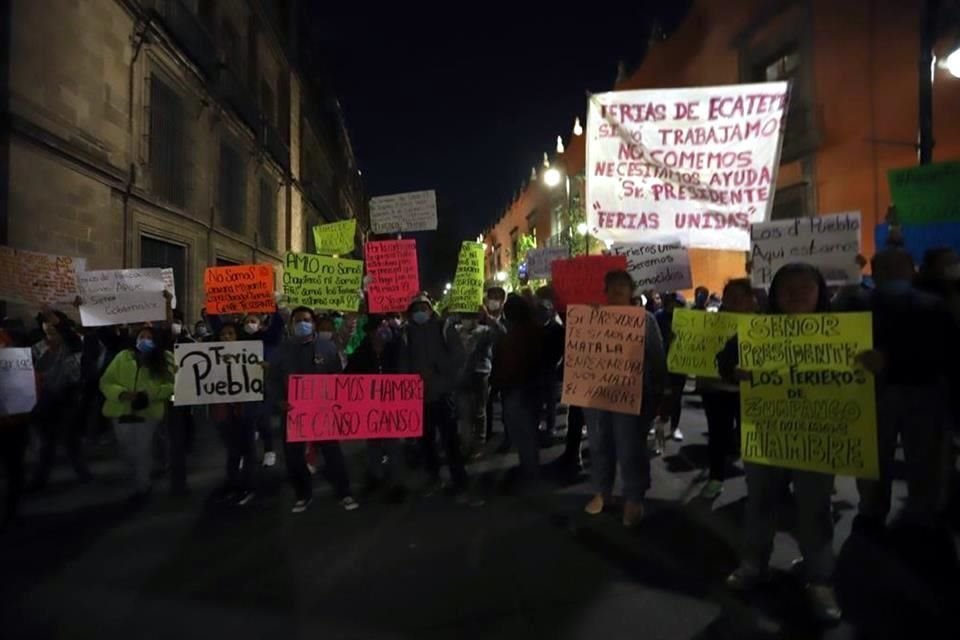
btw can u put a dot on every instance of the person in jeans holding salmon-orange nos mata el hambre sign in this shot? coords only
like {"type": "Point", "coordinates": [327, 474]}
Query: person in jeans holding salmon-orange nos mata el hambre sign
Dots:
{"type": "Point", "coordinates": [622, 437]}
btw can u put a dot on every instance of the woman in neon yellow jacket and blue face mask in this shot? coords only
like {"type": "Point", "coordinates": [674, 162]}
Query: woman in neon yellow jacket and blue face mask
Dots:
{"type": "Point", "coordinates": [137, 386]}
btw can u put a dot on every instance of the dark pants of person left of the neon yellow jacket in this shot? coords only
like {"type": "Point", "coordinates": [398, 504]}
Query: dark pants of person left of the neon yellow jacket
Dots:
{"type": "Point", "coordinates": [54, 419]}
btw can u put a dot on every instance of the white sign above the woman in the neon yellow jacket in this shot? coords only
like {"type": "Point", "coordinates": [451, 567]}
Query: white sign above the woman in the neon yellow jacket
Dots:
{"type": "Point", "coordinates": [121, 296]}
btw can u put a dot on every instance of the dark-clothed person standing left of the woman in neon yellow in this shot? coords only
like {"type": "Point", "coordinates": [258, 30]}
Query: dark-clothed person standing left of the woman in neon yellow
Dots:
{"type": "Point", "coordinates": [56, 360]}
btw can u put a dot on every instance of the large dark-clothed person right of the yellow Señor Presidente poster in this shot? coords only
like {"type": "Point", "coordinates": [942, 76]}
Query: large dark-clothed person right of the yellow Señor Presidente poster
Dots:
{"type": "Point", "coordinates": [915, 360]}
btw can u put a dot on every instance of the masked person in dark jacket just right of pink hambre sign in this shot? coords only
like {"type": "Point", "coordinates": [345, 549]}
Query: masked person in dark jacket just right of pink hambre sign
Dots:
{"type": "Point", "coordinates": [433, 350]}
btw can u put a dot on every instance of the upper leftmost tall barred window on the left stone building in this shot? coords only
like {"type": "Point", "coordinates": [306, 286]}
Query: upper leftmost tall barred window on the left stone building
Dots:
{"type": "Point", "coordinates": [167, 132]}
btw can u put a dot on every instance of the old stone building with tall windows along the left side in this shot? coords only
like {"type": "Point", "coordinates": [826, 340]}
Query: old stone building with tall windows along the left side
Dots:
{"type": "Point", "coordinates": [168, 133]}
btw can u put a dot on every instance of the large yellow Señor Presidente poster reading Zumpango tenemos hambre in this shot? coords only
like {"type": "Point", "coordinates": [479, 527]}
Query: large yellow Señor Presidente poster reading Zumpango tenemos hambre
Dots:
{"type": "Point", "coordinates": [808, 405]}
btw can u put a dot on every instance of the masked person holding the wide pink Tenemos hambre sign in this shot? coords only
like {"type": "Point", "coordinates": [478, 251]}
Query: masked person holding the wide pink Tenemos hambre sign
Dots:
{"type": "Point", "coordinates": [304, 352]}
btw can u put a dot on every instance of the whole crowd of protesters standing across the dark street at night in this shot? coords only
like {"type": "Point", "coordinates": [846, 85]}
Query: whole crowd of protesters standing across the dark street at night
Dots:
{"type": "Point", "coordinates": [512, 351]}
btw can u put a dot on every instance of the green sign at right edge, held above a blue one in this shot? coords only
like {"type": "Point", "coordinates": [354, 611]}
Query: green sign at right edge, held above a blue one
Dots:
{"type": "Point", "coordinates": [928, 193]}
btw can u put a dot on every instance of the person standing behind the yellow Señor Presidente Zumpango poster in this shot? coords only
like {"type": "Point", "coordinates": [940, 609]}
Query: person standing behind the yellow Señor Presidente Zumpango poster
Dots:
{"type": "Point", "coordinates": [796, 289]}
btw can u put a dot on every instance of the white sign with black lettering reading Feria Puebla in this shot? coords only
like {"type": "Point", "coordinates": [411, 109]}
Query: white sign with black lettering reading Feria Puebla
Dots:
{"type": "Point", "coordinates": [218, 372]}
